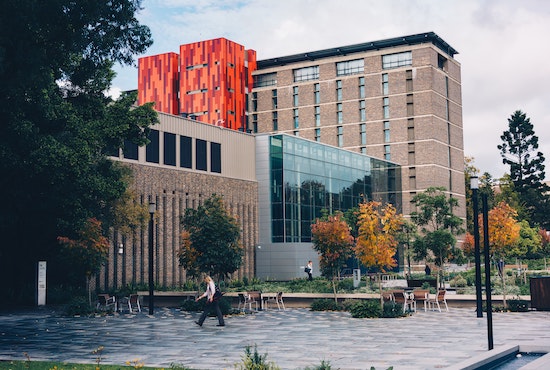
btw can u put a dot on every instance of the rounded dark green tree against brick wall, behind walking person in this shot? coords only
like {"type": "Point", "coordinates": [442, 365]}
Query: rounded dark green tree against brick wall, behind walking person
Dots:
{"type": "Point", "coordinates": [210, 240]}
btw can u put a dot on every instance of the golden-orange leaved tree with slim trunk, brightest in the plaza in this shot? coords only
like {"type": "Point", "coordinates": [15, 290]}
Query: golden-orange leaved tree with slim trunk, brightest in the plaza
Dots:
{"type": "Point", "coordinates": [376, 241]}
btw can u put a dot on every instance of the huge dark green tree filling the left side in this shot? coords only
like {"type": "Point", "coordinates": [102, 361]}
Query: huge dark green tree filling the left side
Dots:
{"type": "Point", "coordinates": [56, 61]}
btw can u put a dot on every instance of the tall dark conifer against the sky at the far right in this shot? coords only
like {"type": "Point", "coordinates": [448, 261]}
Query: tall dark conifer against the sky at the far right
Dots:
{"type": "Point", "coordinates": [519, 150]}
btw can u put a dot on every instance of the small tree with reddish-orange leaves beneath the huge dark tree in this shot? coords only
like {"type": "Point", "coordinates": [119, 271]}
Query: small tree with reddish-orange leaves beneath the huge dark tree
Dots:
{"type": "Point", "coordinates": [89, 252]}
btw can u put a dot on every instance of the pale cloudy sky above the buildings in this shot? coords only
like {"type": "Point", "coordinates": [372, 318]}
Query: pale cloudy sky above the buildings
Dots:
{"type": "Point", "coordinates": [501, 46]}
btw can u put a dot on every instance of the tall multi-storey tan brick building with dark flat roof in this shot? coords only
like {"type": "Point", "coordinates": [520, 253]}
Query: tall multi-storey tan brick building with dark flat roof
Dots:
{"type": "Point", "coordinates": [397, 99]}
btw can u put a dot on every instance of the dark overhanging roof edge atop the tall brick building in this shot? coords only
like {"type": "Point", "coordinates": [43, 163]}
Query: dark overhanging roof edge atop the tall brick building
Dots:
{"type": "Point", "coordinates": [357, 48]}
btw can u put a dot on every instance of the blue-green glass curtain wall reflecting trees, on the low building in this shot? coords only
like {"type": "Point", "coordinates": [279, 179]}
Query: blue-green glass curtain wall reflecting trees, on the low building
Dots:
{"type": "Point", "coordinates": [309, 177]}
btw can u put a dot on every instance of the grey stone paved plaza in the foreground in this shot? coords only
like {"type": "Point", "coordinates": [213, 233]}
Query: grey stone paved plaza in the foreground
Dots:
{"type": "Point", "coordinates": [293, 339]}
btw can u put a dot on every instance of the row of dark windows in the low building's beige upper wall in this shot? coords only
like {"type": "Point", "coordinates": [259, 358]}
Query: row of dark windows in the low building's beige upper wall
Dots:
{"type": "Point", "coordinates": [202, 151]}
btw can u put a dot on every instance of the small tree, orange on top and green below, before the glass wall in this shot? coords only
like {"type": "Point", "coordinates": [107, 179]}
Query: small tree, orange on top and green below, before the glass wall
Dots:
{"type": "Point", "coordinates": [332, 238]}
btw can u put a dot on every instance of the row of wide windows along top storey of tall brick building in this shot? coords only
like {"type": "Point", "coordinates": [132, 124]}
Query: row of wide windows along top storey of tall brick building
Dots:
{"type": "Point", "coordinates": [346, 68]}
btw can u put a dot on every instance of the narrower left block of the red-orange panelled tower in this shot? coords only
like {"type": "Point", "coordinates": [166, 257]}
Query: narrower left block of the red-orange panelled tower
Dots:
{"type": "Point", "coordinates": [158, 77]}
